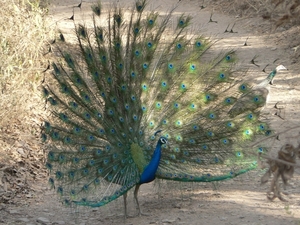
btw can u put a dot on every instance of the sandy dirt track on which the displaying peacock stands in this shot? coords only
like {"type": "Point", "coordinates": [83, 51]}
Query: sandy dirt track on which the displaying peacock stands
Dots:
{"type": "Point", "coordinates": [238, 201]}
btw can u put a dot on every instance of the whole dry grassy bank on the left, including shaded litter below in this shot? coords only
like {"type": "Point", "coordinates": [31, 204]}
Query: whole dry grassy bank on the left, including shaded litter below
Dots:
{"type": "Point", "coordinates": [23, 36]}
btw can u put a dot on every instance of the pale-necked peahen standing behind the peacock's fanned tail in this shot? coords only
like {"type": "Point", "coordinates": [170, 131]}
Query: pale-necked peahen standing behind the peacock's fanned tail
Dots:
{"type": "Point", "coordinates": [257, 97]}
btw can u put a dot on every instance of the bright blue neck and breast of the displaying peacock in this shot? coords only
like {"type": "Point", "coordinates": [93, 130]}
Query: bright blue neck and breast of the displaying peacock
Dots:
{"type": "Point", "coordinates": [148, 174]}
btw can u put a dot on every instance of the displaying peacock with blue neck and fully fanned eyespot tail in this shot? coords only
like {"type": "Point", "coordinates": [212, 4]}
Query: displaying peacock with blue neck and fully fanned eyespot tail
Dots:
{"type": "Point", "coordinates": [134, 100]}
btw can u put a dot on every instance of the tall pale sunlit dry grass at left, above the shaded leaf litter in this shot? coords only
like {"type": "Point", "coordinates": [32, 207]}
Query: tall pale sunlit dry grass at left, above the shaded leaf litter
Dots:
{"type": "Point", "coordinates": [23, 34]}
